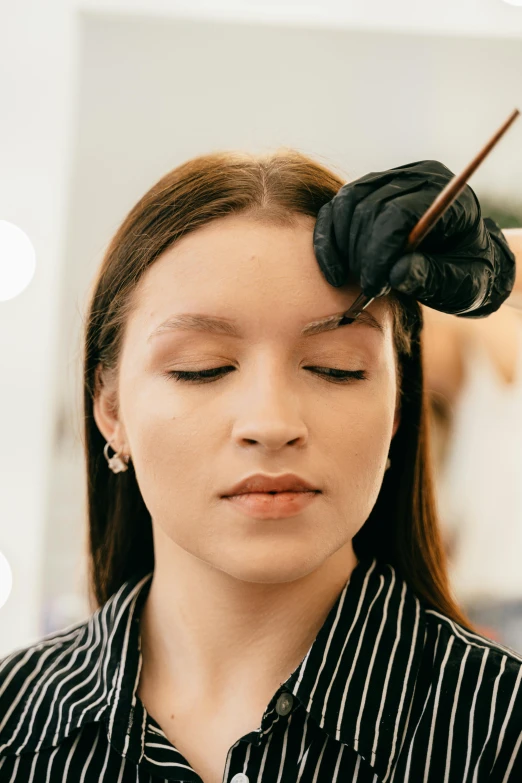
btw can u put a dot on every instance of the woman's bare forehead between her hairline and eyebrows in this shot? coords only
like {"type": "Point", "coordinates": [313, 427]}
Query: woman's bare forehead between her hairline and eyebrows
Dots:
{"type": "Point", "coordinates": [259, 274]}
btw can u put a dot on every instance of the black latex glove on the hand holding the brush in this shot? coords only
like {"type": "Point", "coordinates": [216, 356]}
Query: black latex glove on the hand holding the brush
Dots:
{"type": "Point", "coordinates": [463, 266]}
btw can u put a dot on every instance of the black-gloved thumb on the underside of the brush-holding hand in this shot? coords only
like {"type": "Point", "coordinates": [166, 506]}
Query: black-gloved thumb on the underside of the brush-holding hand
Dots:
{"type": "Point", "coordinates": [449, 284]}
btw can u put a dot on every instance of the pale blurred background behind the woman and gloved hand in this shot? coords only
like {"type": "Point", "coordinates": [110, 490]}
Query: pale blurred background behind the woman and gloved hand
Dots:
{"type": "Point", "coordinates": [100, 99]}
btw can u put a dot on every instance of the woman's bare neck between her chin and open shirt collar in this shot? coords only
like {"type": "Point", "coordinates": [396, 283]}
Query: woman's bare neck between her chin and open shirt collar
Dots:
{"type": "Point", "coordinates": [203, 632]}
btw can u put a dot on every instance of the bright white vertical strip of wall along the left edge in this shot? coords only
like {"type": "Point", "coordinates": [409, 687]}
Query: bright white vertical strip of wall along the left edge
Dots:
{"type": "Point", "coordinates": [37, 100]}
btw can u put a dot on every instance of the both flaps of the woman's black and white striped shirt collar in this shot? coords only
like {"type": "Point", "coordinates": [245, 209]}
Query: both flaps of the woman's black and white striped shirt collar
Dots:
{"type": "Point", "coordinates": [356, 681]}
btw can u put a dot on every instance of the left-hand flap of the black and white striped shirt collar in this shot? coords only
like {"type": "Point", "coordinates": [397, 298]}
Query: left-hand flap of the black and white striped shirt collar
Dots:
{"type": "Point", "coordinates": [51, 701]}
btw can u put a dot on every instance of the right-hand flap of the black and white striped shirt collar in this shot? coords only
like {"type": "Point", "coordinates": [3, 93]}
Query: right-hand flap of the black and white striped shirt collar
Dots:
{"type": "Point", "coordinates": [359, 675]}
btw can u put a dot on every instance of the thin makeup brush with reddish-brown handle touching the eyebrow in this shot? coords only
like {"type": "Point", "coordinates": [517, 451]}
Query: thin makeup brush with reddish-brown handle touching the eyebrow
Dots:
{"type": "Point", "coordinates": [443, 201]}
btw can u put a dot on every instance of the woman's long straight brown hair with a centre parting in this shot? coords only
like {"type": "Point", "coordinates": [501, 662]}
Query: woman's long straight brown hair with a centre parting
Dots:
{"type": "Point", "coordinates": [402, 528]}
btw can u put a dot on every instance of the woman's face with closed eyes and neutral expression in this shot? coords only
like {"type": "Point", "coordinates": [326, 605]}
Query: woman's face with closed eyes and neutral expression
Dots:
{"type": "Point", "coordinates": [271, 412]}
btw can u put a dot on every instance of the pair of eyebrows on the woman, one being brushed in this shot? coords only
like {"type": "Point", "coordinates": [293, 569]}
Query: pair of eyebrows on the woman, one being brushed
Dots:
{"type": "Point", "coordinates": [228, 326]}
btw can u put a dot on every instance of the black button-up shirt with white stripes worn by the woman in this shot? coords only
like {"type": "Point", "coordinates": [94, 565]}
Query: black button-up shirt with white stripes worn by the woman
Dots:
{"type": "Point", "coordinates": [390, 691]}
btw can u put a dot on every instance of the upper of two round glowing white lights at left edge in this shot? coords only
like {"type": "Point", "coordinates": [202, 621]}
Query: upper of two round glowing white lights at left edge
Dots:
{"type": "Point", "coordinates": [17, 260]}
